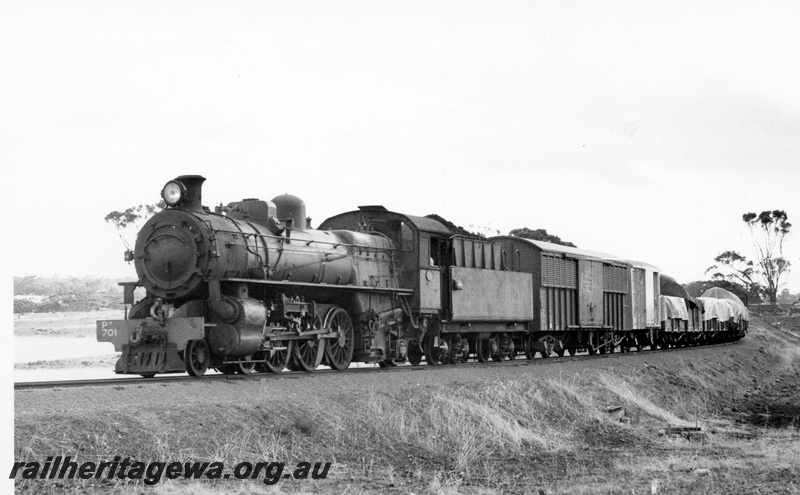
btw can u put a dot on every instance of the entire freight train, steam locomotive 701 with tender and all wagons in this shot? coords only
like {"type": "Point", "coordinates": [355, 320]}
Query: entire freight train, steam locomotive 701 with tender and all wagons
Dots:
{"type": "Point", "coordinates": [251, 287]}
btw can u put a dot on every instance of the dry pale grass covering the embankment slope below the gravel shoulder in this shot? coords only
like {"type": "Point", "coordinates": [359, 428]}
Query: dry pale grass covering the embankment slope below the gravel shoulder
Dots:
{"type": "Point", "coordinates": [525, 435]}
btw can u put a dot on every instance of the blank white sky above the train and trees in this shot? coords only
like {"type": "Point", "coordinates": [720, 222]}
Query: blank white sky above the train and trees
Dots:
{"type": "Point", "coordinates": [643, 129]}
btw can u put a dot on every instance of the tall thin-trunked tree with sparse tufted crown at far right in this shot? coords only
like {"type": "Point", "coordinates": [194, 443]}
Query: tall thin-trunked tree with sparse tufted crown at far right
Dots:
{"type": "Point", "coordinates": [772, 227]}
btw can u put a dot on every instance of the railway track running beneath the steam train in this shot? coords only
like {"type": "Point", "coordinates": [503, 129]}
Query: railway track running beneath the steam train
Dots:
{"type": "Point", "coordinates": [520, 361]}
